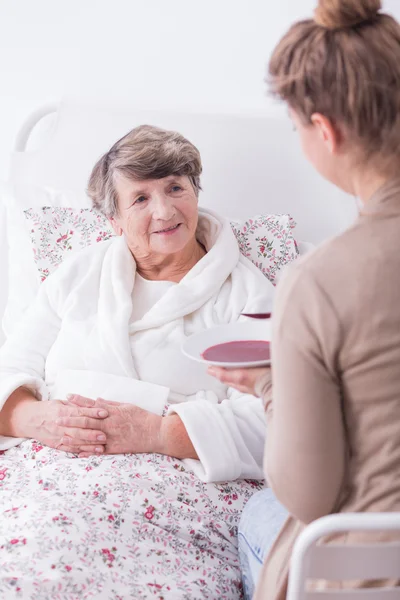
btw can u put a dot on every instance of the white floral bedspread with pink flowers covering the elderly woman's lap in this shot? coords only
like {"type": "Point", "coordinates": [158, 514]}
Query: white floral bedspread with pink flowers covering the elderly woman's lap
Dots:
{"type": "Point", "coordinates": [115, 528]}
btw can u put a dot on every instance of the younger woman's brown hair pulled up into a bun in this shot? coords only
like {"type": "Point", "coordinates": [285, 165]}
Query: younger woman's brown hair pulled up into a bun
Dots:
{"type": "Point", "coordinates": [345, 64]}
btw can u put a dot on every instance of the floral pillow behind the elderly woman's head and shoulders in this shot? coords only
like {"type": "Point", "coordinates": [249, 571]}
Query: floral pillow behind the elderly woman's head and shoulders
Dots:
{"type": "Point", "coordinates": [267, 240]}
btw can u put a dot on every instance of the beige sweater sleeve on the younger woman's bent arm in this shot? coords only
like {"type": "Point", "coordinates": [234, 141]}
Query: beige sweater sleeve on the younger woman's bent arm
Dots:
{"type": "Point", "coordinates": [305, 450]}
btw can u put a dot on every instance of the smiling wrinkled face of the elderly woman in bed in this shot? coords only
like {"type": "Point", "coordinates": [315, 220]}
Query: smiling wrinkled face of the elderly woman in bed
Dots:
{"type": "Point", "coordinates": [156, 215]}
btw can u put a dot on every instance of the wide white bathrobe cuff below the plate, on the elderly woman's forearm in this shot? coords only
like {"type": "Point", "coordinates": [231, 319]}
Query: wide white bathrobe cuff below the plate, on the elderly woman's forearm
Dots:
{"type": "Point", "coordinates": [228, 436]}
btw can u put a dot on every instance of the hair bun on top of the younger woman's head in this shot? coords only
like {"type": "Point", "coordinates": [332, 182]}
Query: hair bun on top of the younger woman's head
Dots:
{"type": "Point", "coordinates": [337, 14]}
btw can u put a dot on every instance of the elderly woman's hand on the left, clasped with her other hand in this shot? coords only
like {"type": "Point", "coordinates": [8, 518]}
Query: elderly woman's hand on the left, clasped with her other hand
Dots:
{"type": "Point", "coordinates": [44, 423]}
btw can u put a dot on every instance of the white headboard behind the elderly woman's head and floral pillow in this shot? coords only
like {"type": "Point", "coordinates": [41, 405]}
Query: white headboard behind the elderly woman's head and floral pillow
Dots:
{"type": "Point", "coordinates": [252, 163]}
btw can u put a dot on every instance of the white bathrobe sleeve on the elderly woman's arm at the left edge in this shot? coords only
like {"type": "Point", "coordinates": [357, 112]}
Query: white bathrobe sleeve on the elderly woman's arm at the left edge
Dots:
{"type": "Point", "coordinates": [23, 355]}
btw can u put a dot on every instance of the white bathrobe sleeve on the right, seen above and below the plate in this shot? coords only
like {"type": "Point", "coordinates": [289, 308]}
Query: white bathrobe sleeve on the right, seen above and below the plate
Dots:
{"type": "Point", "coordinates": [229, 435]}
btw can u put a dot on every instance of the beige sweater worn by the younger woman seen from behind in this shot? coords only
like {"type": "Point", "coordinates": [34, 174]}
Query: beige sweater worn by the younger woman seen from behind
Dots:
{"type": "Point", "coordinates": [333, 434]}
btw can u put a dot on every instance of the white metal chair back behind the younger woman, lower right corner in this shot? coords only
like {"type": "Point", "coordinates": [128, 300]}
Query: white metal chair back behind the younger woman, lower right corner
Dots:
{"type": "Point", "coordinates": [340, 562]}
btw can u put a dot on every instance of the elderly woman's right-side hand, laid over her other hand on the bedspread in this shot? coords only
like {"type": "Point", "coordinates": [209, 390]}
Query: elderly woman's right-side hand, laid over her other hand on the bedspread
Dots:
{"type": "Point", "coordinates": [128, 428]}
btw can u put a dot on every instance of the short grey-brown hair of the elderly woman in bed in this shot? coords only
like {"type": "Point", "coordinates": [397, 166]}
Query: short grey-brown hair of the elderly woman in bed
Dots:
{"type": "Point", "coordinates": [146, 152]}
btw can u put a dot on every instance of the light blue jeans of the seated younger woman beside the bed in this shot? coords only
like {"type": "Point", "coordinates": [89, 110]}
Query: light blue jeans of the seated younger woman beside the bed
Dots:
{"type": "Point", "coordinates": [260, 523]}
